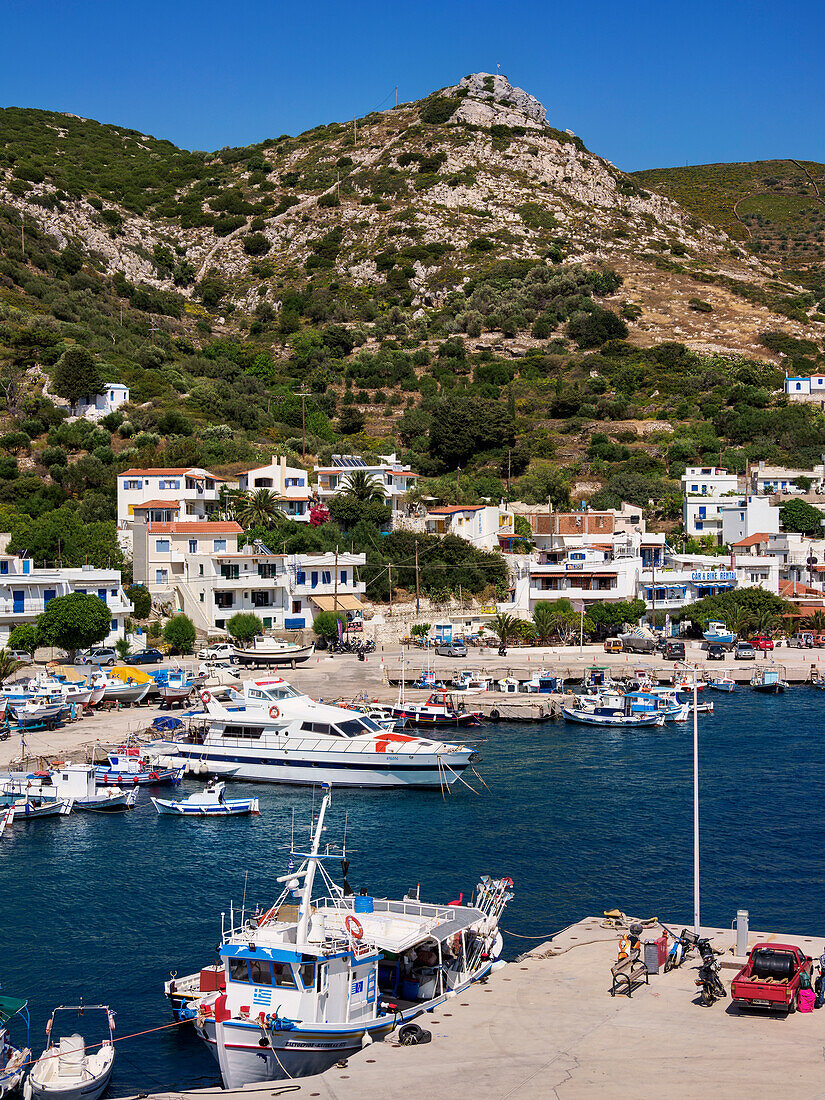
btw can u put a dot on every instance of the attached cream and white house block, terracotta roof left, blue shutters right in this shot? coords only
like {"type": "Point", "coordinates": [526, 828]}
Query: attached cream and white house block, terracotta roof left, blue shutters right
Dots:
{"type": "Point", "coordinates": [199, 568]}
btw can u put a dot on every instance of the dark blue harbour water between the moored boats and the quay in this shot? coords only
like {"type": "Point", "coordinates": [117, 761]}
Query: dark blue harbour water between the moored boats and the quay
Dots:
{"type": "Point", "coordinates": [104, 907]}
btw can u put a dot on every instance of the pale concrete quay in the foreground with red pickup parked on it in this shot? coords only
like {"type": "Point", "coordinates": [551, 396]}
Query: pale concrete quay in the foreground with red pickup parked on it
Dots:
{"type": "Point", "coordinates": [546, 1026]}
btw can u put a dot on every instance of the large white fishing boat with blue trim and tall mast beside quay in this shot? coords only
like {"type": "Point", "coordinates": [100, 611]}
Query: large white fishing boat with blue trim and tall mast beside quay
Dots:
{"type": "Point", "coordinates": [321, 975]}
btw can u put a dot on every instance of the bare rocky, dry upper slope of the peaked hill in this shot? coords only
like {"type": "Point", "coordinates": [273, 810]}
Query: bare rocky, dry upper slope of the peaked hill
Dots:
{"type": "Point", "coordinates": [485, 181]}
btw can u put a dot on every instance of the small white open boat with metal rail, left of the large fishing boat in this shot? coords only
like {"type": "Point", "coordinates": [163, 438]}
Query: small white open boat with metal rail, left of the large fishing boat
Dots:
{"type": "Point", "coordinates": [69, 1070]}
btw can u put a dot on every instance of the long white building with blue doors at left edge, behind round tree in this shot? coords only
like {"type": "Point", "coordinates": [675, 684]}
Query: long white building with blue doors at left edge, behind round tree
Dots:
{"type": "Point", "coordinates": [27, 591]}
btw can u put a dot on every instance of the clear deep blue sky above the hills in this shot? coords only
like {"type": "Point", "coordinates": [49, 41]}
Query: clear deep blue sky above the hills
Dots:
{"type": "Point", "coordinates": [645, 85]}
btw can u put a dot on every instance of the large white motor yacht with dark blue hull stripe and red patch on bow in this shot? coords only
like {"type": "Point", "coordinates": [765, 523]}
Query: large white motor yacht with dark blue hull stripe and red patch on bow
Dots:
{"type": "Point", "coordinates": [276, 734]}
